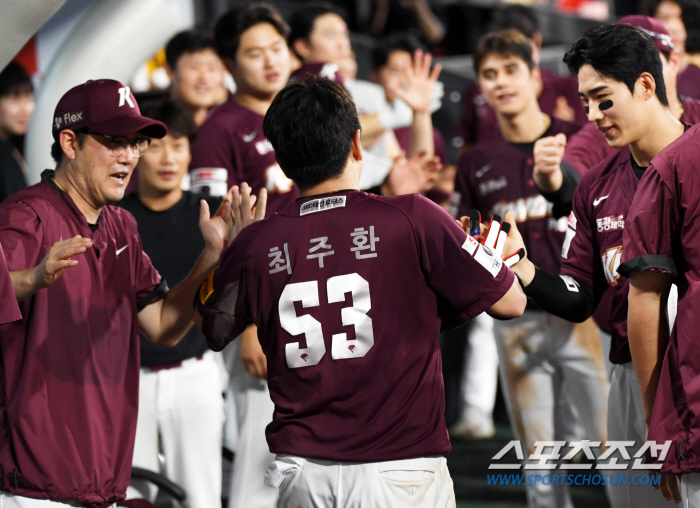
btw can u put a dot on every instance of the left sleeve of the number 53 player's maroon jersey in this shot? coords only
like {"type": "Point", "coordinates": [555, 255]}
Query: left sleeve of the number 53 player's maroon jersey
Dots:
{"type": "Point", "coordinates": [223, 300]}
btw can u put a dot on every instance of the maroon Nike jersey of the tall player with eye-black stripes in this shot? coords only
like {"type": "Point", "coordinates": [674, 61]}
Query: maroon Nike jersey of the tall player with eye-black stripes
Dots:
{"type": "Point", "coordinates": [593, 246]}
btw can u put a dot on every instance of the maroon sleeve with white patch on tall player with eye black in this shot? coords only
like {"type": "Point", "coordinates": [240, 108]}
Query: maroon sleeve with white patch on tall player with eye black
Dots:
{"type": "Point", "coordinates": [579, 252]}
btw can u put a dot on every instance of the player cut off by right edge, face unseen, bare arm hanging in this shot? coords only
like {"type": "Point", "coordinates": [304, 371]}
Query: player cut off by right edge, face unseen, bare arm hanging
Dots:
{"type": "Point", "coordinates": [660, 248]}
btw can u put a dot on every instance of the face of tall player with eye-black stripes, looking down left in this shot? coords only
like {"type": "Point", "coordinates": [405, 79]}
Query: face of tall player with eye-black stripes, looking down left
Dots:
{"type": "Point", "coordinates": [623, 123]}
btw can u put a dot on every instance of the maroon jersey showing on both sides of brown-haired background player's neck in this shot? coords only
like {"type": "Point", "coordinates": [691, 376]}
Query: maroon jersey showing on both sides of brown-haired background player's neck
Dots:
{"type": "Point", "coordinates": [479, 123]}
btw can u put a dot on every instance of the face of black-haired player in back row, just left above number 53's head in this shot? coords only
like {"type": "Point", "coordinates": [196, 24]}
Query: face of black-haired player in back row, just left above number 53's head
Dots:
{"type": "Point", "coordinates": [262, 62]}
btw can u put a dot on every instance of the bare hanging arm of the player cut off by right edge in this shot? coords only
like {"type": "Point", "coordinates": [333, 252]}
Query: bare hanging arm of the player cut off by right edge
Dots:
{"type": "Point", "coordinates": [648, 332]}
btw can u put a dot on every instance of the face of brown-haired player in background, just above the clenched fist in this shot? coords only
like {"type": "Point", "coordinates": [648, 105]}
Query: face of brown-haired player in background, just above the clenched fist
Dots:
{"type": "Point", "coordinates": [508, 84]}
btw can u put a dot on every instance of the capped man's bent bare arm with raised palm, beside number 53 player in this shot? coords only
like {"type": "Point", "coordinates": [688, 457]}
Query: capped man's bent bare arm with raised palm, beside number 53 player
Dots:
{"type": "Point", "coordinates": [165, 322]}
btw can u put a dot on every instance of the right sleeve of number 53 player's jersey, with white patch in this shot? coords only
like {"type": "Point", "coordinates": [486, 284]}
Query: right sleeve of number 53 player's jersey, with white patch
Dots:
{"type": "Point", "coordinates": [467, 276]}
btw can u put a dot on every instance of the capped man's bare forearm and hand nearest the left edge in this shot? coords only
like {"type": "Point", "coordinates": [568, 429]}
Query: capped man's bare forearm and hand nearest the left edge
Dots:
{"type": "Point", "coordinates": [57, 260]}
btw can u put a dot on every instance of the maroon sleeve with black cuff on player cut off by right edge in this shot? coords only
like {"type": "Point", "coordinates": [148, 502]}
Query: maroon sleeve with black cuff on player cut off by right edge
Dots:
{"type": "Point", "coordinates": [650, 228]}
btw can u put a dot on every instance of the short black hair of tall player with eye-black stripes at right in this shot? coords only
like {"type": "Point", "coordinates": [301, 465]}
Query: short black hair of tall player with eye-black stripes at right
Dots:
{"type": "Point", "coordinates": [621, 52]}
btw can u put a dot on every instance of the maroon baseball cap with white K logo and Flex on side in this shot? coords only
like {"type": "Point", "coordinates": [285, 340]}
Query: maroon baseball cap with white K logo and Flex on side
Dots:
{"type": "Point", "coordinates": [104, 106]}
